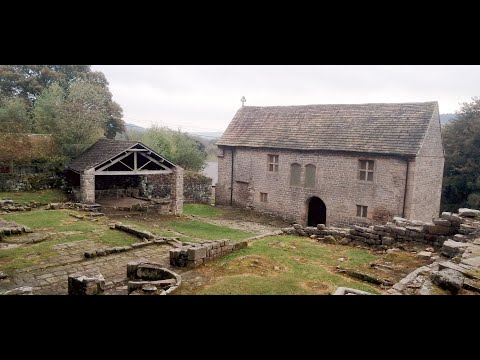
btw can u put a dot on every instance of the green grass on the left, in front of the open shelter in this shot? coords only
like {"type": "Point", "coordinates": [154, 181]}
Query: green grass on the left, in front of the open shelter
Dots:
{"type": "Point", "coordinates": [60, 222]}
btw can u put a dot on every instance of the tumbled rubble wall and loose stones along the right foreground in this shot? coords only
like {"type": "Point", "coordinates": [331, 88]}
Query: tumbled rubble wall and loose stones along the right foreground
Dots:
{"type": "Point", "coordinates": [457, 236]}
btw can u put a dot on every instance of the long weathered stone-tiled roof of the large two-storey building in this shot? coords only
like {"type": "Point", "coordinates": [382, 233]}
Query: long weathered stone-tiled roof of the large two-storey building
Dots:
{"type": "Point", "coordinates": [372, 128]}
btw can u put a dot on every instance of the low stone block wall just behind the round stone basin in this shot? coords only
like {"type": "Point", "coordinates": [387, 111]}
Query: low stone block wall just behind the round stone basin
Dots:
{"type": "Point", "coordinates": [193, 255]}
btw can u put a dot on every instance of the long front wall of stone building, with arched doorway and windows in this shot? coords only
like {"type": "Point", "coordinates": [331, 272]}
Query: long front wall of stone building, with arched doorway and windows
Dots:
{"type": "Point", "coordinates": [336, 184]}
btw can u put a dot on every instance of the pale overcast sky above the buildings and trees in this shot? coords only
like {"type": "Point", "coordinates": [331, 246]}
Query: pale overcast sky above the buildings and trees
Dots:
{"type": "Point", "coordinates": [206, 97]}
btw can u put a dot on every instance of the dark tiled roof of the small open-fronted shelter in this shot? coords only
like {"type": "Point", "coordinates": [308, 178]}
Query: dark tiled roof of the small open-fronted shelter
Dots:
{"type": "Point", "coordinates": [101, 151]}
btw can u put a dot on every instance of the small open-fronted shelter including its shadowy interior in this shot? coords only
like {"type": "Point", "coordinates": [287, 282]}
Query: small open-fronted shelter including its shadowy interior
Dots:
{"type": "Point", "coordinates": [122, 165]}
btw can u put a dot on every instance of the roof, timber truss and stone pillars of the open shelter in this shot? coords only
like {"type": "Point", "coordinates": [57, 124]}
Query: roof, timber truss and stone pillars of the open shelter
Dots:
{"type": "Point", "coordinates": [125, 158]}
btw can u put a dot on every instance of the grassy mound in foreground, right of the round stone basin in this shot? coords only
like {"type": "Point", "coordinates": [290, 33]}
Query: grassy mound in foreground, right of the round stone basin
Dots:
{"type": "Point", "coordinates": [282, 265]}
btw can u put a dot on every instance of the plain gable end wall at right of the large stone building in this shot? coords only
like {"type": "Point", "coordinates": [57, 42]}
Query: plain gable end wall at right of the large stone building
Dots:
{"type": "Point", "coordinates": [428, 176]}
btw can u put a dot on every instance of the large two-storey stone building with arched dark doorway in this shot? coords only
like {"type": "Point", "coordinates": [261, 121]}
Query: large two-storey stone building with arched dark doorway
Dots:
{"type": "Point", "coordinates": [334, 164]}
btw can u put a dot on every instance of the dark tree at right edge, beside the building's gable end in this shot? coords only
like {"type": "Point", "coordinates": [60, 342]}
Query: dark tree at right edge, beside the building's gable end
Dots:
{"type": "Point", "coordinates": [461, 139]}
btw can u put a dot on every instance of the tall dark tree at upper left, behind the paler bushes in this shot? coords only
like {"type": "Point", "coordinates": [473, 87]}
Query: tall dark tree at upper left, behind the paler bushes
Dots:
{"type": "Point", "coordinates": [29, 82]}
